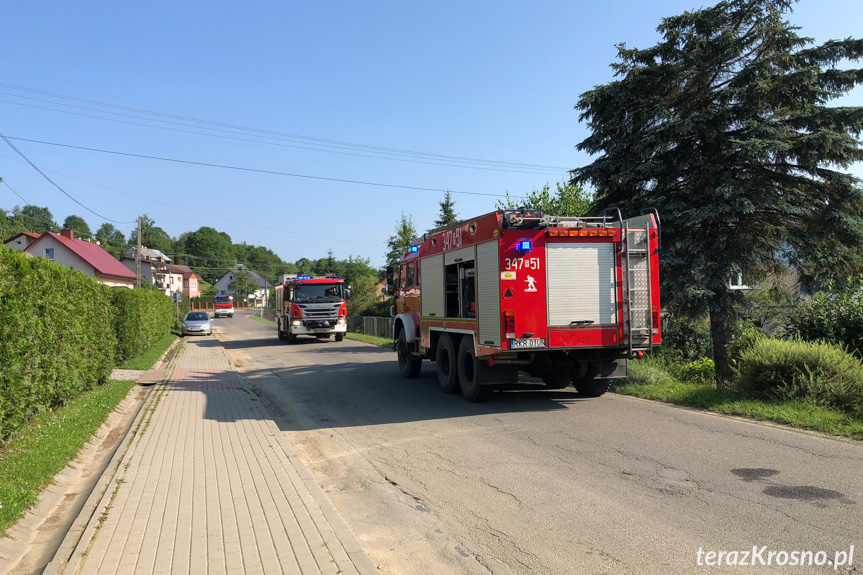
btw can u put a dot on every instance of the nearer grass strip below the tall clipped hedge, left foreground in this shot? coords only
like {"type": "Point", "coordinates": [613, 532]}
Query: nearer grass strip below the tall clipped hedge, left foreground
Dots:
{"type": "Point", "coordinates": [32, 457]}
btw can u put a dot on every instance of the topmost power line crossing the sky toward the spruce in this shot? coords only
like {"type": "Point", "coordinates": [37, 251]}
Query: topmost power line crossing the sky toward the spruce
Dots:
{"type": "Point", "coordinates": [314, 140]}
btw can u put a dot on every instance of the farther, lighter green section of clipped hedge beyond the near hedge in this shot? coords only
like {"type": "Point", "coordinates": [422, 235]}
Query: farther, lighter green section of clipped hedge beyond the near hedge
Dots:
{"type": "Point", "coordinates": [143, 318]}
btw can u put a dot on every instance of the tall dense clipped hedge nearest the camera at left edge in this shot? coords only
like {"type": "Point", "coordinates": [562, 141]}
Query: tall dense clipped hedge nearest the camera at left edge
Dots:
{"type": "Point", "coordinates": [56, 336]}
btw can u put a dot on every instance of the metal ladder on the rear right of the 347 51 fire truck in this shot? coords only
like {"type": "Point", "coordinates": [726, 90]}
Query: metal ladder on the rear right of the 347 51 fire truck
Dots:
{"type": "Point", "coordinates": [636, 273]}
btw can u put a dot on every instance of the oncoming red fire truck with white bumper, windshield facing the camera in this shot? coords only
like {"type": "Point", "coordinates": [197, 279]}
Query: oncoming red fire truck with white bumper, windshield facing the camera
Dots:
{"type": "Point", "coordinates": [314, 306]}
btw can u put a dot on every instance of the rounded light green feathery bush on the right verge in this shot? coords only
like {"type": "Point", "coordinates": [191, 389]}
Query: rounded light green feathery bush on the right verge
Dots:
{"type": "Point", "coordinates": [821, 372]}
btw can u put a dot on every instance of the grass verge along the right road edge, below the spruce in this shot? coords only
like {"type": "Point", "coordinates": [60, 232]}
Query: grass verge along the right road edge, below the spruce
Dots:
{"type": "Point", "coordinates": [649, 381]}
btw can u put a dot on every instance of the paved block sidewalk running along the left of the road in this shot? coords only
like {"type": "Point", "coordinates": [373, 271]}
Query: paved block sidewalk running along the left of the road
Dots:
{"type": "Point", "coordinates": [208, 484]}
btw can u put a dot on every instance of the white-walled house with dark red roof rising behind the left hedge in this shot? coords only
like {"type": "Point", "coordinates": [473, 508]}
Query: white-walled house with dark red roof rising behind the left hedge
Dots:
{"type": "Point", "coordinates": [84, 256]}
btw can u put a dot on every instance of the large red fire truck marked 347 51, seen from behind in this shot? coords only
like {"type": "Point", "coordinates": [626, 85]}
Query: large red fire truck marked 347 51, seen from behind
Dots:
{"type": "Point", "coordinates": [565, 299]}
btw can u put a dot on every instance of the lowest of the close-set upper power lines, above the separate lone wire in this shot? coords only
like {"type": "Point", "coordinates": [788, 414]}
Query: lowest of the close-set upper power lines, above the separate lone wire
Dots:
{"type": "Point", "coordinates": [537, 171]}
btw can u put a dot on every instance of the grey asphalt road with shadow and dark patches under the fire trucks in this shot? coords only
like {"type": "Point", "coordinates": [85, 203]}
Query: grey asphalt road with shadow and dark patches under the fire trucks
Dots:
{"type": "Point", "coordinates": [544, 481]}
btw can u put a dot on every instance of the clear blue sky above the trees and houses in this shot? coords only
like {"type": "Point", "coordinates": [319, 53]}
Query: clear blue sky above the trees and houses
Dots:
{"type": "Point", "coordinates": [488, 80]}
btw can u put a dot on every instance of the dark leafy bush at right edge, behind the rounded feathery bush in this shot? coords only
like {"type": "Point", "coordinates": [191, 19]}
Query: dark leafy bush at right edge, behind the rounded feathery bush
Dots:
{"type": "Point", "coordinates": [831, 316]}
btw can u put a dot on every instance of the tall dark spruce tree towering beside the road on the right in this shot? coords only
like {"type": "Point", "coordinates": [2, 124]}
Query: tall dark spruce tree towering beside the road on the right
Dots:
{"type": "Point", "coordinates": [724, 126]}
